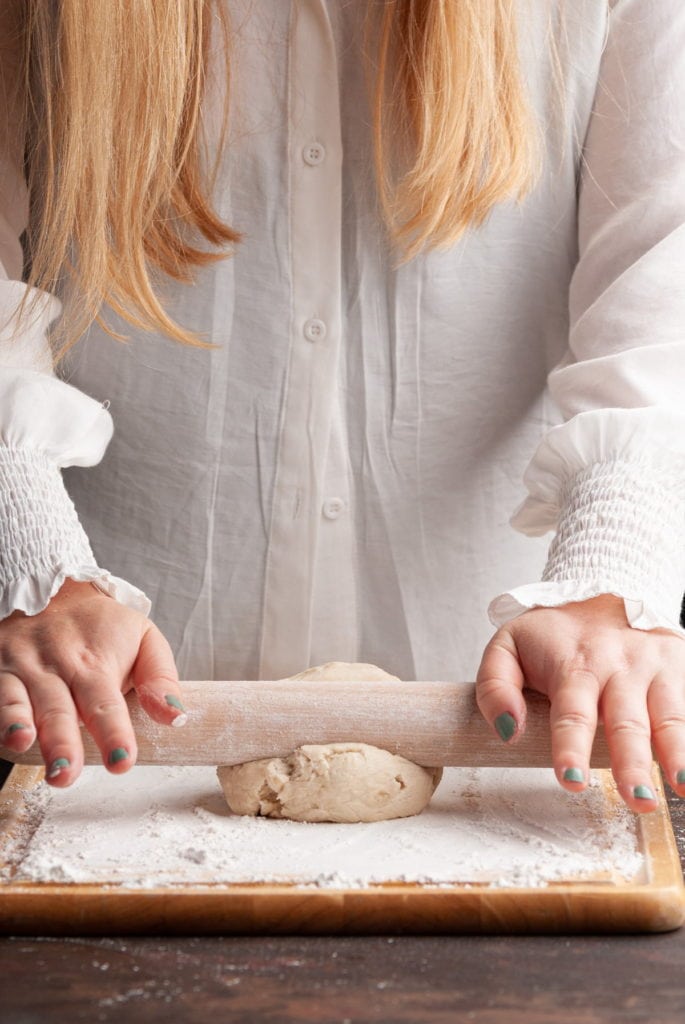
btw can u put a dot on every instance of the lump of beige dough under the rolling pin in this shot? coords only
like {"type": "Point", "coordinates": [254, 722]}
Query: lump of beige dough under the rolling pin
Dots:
{"type": "Point", "coordinates": [341, 783]}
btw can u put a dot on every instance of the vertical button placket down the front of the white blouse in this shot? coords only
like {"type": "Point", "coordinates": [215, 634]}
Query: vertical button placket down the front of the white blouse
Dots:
{"type": "Point", "coordinates": [316, 202]}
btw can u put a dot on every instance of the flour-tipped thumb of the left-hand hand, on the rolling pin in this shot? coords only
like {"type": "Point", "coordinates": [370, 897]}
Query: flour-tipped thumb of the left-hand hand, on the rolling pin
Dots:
{"type": "Point", "coordinates": [156, 679]}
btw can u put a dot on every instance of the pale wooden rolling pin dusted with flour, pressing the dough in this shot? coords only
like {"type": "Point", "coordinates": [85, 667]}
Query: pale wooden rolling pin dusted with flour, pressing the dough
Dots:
{"type": "Point", "coordinates": [432, 723]}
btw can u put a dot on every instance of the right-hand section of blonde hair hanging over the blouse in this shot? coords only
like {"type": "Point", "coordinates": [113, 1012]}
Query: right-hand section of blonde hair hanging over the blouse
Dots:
{"type": "Point", "coordinates": [450, 105]}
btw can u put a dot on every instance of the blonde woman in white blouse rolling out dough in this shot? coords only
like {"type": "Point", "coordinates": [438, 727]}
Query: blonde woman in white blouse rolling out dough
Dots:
{"type": "Point", "coordinates": [411, 258]}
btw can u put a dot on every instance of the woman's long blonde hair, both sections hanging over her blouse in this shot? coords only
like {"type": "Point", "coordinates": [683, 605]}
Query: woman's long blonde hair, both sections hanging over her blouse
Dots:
{"type": "Point", "coordinates": [119, 178]}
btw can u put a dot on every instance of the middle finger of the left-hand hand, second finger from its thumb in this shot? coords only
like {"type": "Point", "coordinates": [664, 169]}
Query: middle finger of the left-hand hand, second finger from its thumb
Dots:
{"type": "Point", "coordinates": [57, 726]}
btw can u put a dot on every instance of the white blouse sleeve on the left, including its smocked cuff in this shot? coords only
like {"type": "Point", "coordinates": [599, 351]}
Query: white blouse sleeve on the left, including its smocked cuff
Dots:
{"type": "Point", "coordinates": [46, 424]}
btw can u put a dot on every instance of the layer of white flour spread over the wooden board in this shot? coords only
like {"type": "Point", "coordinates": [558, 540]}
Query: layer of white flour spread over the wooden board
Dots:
{"type": "Point", "coordinates": [161, 827]}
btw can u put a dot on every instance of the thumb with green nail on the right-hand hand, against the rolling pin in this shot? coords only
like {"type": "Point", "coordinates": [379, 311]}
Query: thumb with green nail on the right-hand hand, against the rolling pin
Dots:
{"type": "Point", "coordinates": [499, 686]}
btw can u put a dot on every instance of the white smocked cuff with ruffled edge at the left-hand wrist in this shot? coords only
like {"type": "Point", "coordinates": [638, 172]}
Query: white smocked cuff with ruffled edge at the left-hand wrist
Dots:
{"type": "Point", "coordinates": [42, 542]}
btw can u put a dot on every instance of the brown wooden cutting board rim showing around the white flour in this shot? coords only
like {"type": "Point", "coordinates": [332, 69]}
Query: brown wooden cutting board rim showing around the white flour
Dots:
{"type": "Point", "coordinates": [653, 902]}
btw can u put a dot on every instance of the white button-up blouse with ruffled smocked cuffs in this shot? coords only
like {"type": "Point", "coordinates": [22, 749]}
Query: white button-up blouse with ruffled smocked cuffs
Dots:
{"type": "Point", "coordinates": [335, 480]}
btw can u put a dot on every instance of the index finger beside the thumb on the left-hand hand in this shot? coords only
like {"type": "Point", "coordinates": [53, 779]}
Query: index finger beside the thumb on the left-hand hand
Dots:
{"type": "Point", "coordinates": [105, 714]}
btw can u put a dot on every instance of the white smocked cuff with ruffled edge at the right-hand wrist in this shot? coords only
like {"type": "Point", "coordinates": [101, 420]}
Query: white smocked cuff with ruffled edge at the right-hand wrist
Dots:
{"type": "Point", "coordinates": [622, 532]}
